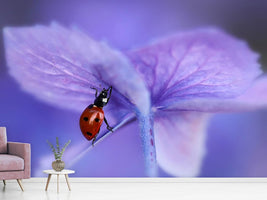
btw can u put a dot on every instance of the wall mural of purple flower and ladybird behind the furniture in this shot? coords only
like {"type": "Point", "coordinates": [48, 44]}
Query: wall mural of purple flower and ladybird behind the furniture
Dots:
{"type": "Point", "coordinates": [139, 88]}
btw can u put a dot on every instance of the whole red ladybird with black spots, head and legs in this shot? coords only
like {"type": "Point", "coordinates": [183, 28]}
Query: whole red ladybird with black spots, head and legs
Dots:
{"type": "Point", "coordinates": [92, 117]}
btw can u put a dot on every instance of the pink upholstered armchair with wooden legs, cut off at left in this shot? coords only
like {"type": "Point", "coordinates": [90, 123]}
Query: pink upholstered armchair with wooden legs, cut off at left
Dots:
{"type": "Point", "coordinates": [15, 159]}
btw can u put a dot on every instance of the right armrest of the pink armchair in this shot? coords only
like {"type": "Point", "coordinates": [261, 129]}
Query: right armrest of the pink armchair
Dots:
{"type": "Point", "coordinates": [22, 150]}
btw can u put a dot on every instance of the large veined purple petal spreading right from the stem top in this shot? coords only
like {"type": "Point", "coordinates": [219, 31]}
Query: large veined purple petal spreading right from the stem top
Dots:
{"type": "Point", "coordinates": [203, 63]}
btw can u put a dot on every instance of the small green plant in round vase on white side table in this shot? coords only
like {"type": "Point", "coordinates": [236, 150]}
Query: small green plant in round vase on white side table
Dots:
{"type": "Point", "coordinates": [58, 164]}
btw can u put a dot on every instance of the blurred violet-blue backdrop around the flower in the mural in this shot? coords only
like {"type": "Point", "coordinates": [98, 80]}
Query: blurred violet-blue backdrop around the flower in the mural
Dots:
{"type": "Point", "coordinates": [236, 143]}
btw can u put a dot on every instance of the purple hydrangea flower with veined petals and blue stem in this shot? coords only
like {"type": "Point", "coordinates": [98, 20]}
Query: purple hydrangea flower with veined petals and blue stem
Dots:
{"type": "Point", "coordinates": [170, 86]}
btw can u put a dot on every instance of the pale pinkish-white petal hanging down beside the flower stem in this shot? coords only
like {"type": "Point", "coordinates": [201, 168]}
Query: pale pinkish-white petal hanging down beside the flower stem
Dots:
{"type": "Point", "coordinates": [180, 141]}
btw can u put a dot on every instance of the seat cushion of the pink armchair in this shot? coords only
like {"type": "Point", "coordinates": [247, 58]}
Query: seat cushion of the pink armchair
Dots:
{"type": "Point", "coordinates": [11, 163]}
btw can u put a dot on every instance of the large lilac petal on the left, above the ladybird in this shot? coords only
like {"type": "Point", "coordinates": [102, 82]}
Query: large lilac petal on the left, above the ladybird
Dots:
{"type": "Point", "coordinates": [59, 65]}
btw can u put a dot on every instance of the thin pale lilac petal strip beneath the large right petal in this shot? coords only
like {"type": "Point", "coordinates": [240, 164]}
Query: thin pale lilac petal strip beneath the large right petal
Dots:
{"type": "Point", "coordinates": [254, 98]}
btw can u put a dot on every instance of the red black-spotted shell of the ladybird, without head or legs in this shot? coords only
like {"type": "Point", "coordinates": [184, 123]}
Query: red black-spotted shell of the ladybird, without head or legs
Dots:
{"type": "Point", "coordinates": [90, 121]}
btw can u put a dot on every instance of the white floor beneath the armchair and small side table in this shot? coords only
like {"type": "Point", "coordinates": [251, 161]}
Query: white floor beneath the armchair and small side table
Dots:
{"type": "Point", "coordinates": [127, 189]}
